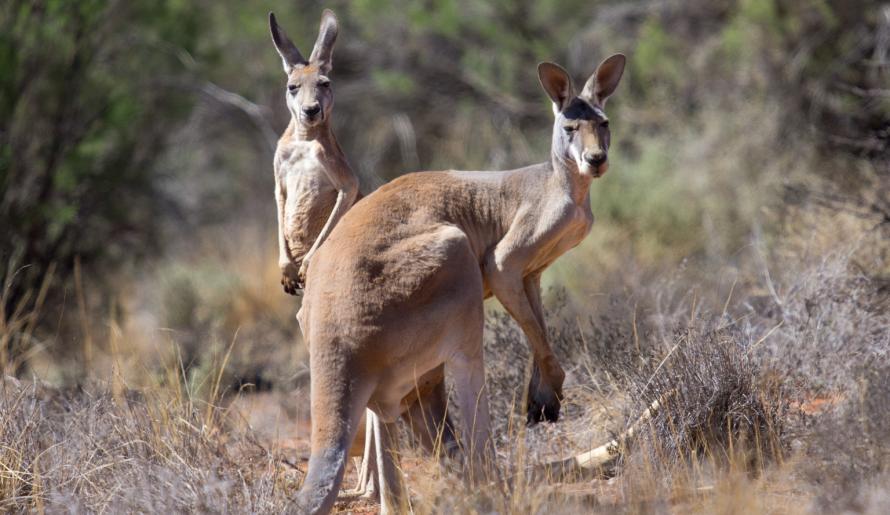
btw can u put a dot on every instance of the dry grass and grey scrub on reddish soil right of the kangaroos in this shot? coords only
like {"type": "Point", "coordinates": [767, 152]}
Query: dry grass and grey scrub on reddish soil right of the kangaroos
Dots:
{"type": "Point", "coordinates": [769, 391]}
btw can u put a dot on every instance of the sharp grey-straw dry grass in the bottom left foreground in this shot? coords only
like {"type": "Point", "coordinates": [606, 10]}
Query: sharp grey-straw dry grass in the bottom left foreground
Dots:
{"type": "Point", "coordinates": [91, 450]}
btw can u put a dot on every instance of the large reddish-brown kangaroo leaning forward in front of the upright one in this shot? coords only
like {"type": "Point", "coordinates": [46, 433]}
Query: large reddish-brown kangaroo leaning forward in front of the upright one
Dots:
{"type": "Point", "coordinates": [396, 292]}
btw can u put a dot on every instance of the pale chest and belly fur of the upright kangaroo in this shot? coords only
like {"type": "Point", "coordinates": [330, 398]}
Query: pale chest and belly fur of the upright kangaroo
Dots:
{"type": "Point", "coordinates": [308, 194]}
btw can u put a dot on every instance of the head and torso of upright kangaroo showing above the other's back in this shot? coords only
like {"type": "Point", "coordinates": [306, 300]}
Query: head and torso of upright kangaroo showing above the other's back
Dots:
{"type": "Point", "coordinates": [314, 184]}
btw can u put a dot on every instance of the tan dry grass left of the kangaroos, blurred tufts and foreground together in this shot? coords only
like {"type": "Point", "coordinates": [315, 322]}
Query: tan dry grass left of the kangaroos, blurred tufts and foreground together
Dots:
{"type": "Point", "coordinates": [150, 426]}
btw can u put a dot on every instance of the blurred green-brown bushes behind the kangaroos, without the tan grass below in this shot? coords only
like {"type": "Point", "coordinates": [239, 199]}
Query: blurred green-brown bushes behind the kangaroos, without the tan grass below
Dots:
{"type": "Point", "coordinates": [93, 96]}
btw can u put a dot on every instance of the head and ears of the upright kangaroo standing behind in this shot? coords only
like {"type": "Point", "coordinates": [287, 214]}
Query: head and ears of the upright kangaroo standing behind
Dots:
{"type": "Point", "coordinates": [309, 95]}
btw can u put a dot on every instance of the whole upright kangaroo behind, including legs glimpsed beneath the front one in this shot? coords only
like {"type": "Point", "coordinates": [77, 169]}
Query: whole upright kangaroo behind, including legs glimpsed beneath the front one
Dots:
{"type": "Point", "coordinates": [314, 187]}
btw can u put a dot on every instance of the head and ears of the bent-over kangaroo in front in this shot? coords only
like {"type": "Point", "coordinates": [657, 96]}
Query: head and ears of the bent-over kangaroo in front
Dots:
{"type": "Point", "coordinates": [581, 129]}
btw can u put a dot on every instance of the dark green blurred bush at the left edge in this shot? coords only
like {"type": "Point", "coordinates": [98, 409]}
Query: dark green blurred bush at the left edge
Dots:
{"type": "Point", "coordinates": [89, 95]}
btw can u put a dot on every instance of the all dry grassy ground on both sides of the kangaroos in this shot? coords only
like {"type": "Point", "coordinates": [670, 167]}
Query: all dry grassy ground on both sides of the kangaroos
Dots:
{"type": "Point", "coordinates": [773, 384]}
